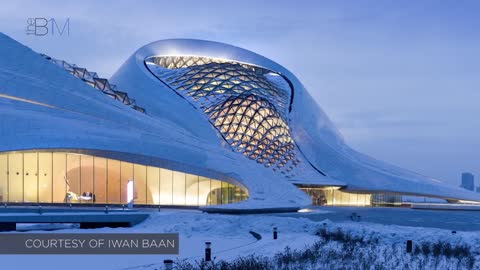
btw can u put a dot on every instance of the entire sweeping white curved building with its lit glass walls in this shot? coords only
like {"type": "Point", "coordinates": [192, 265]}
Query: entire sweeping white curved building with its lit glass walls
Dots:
{"type": "Point", "coordinates": [191, 123]}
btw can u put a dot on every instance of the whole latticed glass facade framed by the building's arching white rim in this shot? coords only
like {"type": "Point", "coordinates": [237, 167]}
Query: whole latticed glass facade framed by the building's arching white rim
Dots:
{"type": "Point", "coordinates": [245, 103]}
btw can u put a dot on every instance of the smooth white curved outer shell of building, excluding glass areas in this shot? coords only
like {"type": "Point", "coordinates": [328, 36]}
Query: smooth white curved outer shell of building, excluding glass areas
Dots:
{"type": "Point", "coordinates": [65, 113]}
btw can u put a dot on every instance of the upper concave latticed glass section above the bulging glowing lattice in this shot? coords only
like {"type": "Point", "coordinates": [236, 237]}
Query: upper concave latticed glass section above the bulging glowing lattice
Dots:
{"type": "Point", "coordinates": [209, 80]}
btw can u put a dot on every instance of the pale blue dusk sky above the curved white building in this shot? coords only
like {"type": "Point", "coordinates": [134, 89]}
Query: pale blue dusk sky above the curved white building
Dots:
{"type": "Point", "coordinates": [399, 78]}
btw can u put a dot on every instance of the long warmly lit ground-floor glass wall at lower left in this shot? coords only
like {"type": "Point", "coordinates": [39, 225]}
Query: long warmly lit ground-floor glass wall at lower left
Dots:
{"type": "Point", "coordinates": [61, 177]}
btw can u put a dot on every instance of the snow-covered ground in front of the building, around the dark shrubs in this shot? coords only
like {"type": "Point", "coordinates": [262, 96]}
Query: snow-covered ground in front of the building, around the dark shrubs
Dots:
{"type": "Point", "coordinates": [230, 238]}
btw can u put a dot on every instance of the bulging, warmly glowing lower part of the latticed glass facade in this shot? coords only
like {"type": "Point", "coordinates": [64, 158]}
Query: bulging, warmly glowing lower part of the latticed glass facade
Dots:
{"type": "Point", "coordinates": [254, 128]}
